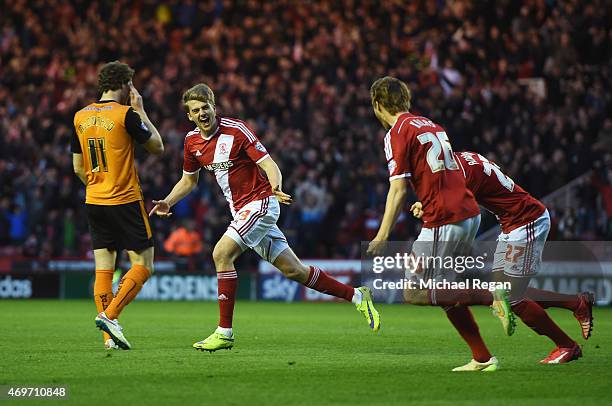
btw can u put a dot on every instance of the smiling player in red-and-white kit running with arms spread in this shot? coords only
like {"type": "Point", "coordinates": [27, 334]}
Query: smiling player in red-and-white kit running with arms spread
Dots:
{"type": "Point", "coordinates": [230, 150]}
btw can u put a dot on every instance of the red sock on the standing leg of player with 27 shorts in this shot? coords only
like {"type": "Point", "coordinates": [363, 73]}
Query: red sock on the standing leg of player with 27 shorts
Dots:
{"type": "Point", "coordinates": [536, 318]}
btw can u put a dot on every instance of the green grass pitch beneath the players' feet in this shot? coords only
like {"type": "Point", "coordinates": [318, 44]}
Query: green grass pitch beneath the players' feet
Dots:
{"type": "Point", "coordinates": [285, 354]}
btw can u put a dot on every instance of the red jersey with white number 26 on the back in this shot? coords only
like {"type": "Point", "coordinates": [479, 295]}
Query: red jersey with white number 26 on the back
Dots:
{"type": "Point", "coordinates": [419, 149]}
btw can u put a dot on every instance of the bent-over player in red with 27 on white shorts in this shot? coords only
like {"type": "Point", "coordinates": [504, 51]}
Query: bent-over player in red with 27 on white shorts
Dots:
{"type": "Point", "coordinates": [525, 224]}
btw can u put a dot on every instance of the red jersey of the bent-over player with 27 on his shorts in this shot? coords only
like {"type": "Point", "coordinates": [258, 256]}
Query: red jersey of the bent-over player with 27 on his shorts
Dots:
{"type": "Point", "coordinates": [496, 192]}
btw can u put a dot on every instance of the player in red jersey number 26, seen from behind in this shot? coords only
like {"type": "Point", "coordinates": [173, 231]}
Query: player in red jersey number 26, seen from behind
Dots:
{"type": "Point", "coordinates": [418, 149]}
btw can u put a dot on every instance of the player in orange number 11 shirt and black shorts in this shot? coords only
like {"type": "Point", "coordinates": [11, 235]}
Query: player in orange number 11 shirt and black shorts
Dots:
{"type": "Point", "coordinates": [106, 132]}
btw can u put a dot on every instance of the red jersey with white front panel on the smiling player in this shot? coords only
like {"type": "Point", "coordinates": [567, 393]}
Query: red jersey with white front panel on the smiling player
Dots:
{"type": "Point", "coordinates": [232, 154]}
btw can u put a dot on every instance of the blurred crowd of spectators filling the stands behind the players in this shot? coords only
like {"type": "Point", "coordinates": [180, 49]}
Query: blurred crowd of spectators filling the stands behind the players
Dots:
{"type": "Point", "coordinates": [522, 82]}
